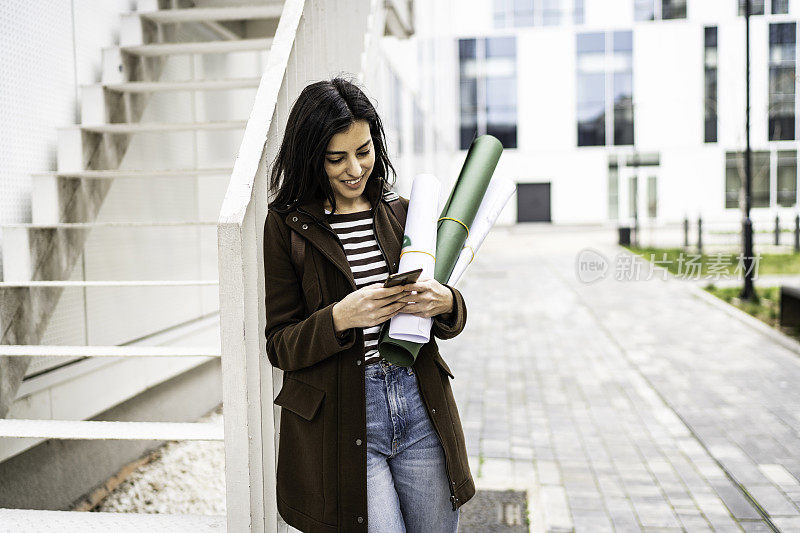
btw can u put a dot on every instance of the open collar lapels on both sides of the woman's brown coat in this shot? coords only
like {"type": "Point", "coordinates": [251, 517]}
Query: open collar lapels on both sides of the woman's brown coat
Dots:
{"type": "Point", "coordinates": [310, 221]}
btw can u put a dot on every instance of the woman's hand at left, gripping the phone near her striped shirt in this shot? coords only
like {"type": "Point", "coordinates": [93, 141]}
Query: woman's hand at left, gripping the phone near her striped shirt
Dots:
{"type": "Point", "coordinates": [368, 306]}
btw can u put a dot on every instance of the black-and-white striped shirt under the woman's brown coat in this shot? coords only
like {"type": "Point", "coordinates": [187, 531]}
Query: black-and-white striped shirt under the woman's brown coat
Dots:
{"type": "Point", "coordinates": [366, 263]}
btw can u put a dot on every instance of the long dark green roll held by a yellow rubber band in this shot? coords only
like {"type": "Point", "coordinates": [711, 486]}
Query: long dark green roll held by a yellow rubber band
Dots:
{"type": "Point", "coordinates": [462, 205]}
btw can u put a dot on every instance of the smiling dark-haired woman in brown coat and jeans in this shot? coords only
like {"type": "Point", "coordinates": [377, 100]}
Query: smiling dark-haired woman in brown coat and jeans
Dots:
{"type": "Point", "coordinates": [365, 445]}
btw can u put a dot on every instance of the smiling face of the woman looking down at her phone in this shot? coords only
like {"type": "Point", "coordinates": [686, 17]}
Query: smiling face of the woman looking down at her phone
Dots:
{"type": "Point", "coordinates": [349, 159]}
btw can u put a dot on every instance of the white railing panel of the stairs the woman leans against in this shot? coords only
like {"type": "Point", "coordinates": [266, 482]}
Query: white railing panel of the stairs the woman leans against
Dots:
{"type": "Point", "coordinates": [309, 45]}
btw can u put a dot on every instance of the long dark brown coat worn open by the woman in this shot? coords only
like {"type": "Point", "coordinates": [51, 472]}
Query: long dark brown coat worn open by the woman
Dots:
{"type": "Point", "coordinates": [322, 456]}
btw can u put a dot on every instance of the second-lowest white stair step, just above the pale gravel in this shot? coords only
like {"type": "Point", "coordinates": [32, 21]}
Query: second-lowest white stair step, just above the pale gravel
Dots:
{"type": "Point", "coordinates": [111, 430]}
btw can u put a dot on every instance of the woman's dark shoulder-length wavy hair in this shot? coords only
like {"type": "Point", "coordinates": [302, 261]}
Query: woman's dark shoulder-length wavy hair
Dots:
{"type": "Point", "coordinates": [323, 109]}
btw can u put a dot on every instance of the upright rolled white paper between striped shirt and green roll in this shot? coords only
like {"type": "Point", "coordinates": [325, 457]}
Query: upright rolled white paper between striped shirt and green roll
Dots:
{"type": "Point", "coordinates": [419, 251]}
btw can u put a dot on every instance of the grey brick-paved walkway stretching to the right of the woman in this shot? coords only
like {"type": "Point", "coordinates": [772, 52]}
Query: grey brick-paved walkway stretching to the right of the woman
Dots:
{"type": "Point", "coordinates": [622, 405]}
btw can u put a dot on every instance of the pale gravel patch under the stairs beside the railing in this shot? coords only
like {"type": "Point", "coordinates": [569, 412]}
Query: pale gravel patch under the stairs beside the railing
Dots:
{"type": "Point", "coordinates": [185, 477]}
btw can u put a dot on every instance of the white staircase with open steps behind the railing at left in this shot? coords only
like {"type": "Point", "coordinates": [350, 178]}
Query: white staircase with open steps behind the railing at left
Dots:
{"type": "Point", "coordinates": [88, 154]}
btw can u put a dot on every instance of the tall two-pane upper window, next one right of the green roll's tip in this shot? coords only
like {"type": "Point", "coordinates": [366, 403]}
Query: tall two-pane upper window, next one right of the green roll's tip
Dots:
{"type": "Point", "coordinates": [605, 60]}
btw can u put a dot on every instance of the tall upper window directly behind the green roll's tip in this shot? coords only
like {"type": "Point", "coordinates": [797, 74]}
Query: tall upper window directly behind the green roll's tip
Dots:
{"type": "Point", "coordinates": [488, 81]}
